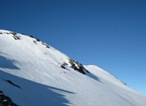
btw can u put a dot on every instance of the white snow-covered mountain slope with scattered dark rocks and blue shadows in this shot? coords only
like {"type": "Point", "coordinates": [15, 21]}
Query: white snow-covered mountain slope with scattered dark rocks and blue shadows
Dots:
{"type": "Point", "coordinates": [33, 73]}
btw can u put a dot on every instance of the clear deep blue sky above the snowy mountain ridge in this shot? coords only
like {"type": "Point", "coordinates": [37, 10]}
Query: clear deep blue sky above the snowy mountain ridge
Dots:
{"type": "Point", "coordinates": [108, 33]}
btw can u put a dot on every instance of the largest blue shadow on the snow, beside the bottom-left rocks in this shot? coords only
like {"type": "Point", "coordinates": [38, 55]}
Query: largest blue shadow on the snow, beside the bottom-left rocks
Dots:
{"type": "Point", "coordinates": [31, 93]}
